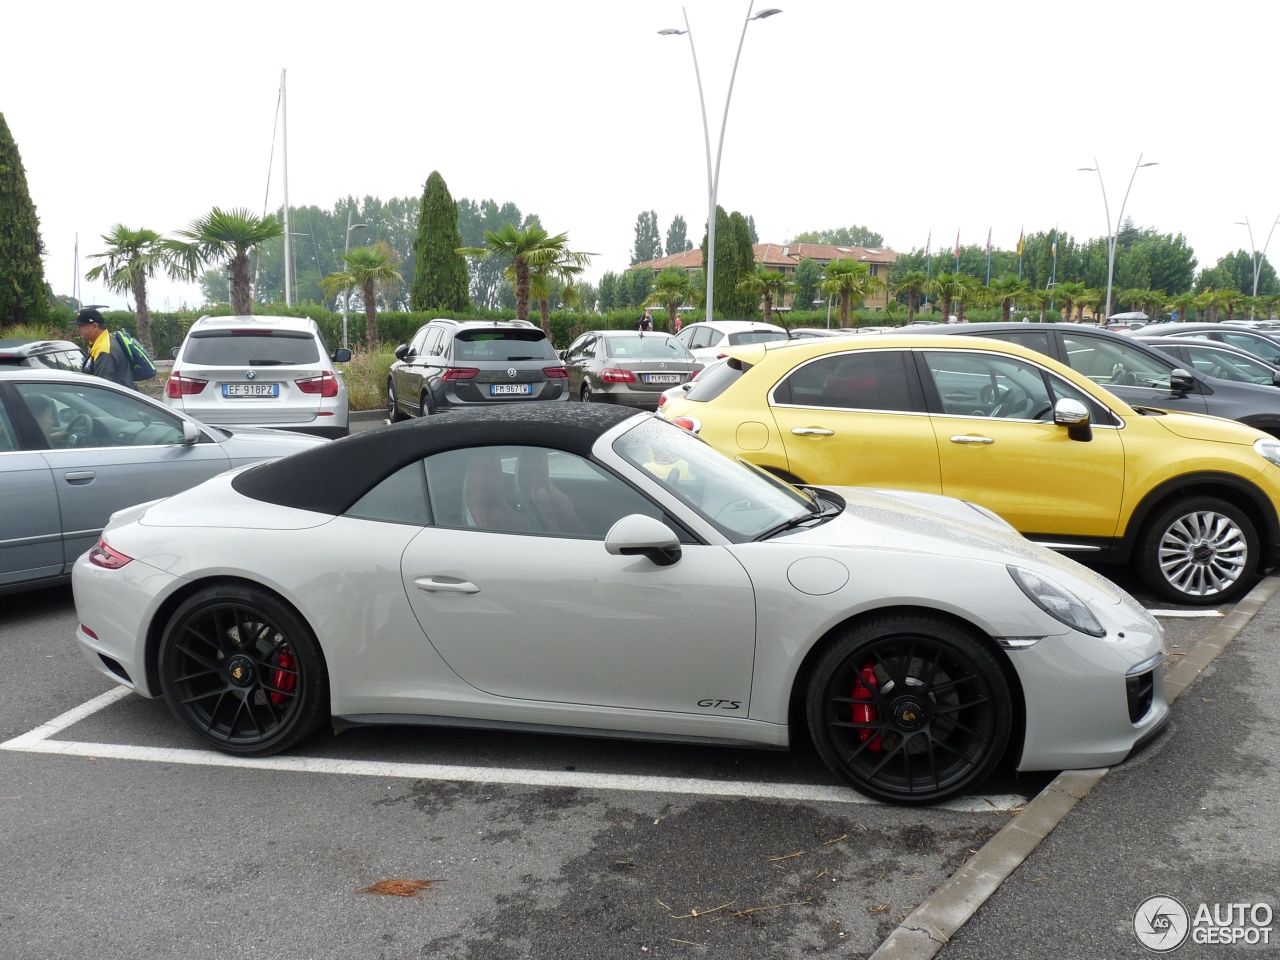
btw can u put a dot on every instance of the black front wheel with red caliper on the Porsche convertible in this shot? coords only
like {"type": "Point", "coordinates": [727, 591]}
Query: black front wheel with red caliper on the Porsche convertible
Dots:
{"type": "Point", "coordinates": [909, 710]}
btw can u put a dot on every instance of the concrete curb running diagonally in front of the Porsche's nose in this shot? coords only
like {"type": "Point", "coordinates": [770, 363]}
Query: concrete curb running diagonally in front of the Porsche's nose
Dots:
{"type": "Point", "coordinates": [949, 908]}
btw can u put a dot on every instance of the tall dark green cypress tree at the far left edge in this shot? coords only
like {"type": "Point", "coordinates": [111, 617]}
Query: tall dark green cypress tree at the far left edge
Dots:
{"type": "Point", "coordinates": [24, 292]}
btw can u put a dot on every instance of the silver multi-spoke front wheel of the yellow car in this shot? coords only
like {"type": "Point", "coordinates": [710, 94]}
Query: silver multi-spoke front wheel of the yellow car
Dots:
{"type": "Point", "coordinates": [1199, 551]}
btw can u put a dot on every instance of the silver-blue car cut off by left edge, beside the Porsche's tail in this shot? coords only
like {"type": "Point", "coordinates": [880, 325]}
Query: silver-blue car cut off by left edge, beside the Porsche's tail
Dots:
{"type": "Point", "coordinates": [75, 450]}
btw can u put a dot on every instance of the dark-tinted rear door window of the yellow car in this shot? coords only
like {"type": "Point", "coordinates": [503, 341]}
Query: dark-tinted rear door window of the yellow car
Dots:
{"type": "Point", "coordinates": [865, 381]}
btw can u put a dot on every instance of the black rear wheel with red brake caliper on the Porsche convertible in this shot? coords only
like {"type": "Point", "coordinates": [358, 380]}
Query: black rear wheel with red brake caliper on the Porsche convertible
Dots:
{"type": "Point", "coordinates": [243, 671]}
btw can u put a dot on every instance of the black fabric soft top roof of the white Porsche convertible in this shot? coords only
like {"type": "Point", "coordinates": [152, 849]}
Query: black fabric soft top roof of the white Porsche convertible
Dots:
{"type": "Point", "coordinates": [328, 479]}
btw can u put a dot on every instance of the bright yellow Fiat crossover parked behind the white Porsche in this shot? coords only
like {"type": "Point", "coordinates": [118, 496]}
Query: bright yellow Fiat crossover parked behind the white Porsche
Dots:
{"type": "Point", "coordinates": [1190, 500]}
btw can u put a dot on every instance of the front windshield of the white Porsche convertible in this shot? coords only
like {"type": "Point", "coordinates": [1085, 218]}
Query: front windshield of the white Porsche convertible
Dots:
{"type": "Point", "coordinates": [742, 502]}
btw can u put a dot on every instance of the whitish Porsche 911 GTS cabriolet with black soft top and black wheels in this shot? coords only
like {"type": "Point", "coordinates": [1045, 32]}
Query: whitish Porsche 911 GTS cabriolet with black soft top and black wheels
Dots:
{"type": "Point", "coordinates": [589, 570]}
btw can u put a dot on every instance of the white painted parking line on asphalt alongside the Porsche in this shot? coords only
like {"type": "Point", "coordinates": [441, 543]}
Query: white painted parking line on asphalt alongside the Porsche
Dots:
{"type": "Point", "coordinates": [40, 742]}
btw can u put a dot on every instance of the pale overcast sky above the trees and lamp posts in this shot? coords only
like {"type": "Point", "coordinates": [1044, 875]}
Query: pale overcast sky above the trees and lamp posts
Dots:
{"type": "Point", "coordinates": [904, 117]}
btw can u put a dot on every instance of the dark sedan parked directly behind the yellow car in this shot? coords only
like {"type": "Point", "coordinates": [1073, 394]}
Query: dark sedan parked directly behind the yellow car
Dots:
{"type": "Point", "coordinates": [1136, 373]}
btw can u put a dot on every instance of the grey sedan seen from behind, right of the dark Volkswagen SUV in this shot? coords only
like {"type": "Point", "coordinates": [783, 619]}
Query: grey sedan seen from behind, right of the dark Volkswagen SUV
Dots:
{"type": "Point", "coordinates": [628, 368]}
